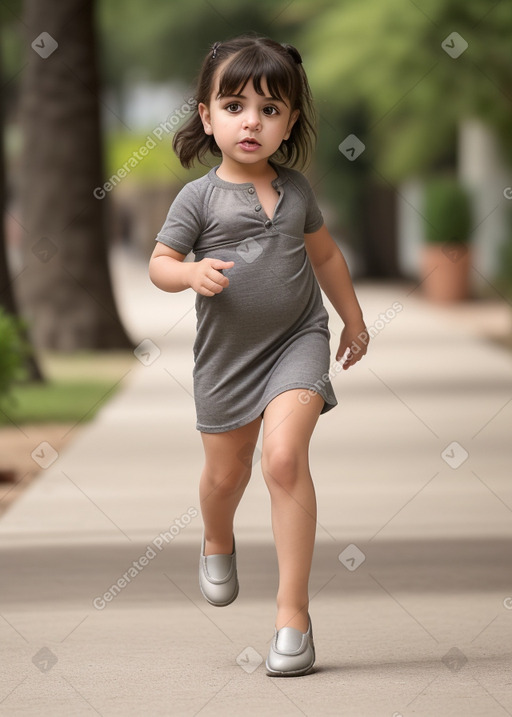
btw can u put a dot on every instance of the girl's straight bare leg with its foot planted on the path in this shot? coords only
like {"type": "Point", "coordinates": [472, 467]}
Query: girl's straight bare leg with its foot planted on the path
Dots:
{"type": "Point", "coordinates": [288, 425]}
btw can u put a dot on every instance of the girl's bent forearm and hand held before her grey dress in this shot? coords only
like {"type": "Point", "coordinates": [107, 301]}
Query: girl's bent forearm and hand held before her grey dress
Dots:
{"type": "Point", "coordinates": [169, 272]}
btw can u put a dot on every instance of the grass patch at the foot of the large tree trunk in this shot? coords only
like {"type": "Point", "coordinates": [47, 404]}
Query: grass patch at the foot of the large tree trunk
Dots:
{"type": "Point", "coordinates": [77, 387]}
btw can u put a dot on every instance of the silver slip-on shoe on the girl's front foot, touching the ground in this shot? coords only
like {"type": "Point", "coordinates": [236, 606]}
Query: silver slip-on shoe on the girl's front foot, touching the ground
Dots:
{"type": "Point", "coordinates": [292, 652]}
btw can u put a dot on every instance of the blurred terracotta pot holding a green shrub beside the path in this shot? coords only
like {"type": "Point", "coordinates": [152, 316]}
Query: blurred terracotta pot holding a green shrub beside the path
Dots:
{"type": "Point", "coordinates": [445, 272]}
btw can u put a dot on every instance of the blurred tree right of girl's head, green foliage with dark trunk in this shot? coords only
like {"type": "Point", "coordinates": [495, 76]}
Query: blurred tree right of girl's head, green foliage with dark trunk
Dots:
{"type": "Point", "coordinates": [394, 75]}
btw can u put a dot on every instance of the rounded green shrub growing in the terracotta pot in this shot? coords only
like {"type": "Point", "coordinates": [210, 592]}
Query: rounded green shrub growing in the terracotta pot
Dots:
{"type": "Point", "coordinates": [447, 212]}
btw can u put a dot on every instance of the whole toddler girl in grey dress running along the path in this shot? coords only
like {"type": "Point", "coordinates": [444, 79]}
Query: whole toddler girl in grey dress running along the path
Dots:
{"type": "Point", "coordinates": [261, 354]}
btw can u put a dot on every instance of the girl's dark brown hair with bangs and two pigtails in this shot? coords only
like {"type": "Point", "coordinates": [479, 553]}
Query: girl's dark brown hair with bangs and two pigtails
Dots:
{"type": "Point", "coordinates": [253, 59]}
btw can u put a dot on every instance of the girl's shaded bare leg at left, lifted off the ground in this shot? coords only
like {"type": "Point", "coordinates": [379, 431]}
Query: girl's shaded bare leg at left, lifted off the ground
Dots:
{"type": "Point", "coordinates": [225, 476]}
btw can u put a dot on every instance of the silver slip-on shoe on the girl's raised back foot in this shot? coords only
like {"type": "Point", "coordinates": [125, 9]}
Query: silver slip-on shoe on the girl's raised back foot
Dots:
{"type": "Point", "coordinates": [218, 579]}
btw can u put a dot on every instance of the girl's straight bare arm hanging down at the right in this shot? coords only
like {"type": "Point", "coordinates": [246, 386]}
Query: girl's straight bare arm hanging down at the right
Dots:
{"type": "Point", "coordinates": [333, 276]}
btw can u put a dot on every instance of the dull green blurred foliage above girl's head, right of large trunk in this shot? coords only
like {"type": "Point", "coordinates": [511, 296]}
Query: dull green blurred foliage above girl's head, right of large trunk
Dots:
{"type": "Point", "coordinates": [165, 41]}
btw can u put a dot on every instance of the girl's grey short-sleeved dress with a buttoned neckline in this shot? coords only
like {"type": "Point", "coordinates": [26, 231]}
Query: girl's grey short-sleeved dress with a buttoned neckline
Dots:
{"type": "Point", "coordinates": [267, 332]}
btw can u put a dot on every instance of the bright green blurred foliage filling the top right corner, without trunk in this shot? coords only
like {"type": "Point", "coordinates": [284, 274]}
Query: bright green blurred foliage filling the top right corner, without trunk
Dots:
{"type": "Point", "coordinates": [392, 58]}
